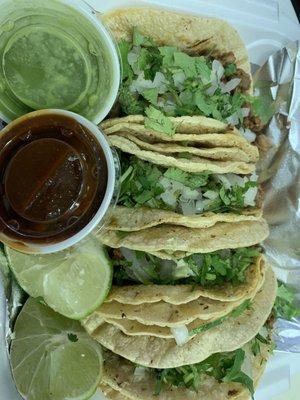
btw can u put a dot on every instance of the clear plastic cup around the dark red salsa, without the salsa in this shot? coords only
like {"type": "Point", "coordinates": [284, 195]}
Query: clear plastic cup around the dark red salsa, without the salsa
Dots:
{"type": "Point", "coordinates": [110, 196]}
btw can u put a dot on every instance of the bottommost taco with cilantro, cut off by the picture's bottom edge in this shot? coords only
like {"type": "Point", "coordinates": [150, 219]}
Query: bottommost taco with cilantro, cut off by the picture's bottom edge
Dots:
{"type": "Point", "coordinates": [226, 376]}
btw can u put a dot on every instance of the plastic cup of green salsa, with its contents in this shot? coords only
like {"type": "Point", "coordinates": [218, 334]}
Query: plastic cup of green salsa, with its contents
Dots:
{"type": "Point", "coordinates": [70, 78]}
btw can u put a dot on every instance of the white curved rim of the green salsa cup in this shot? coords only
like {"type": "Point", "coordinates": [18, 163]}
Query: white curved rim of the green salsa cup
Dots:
{"type": "Point", "coordinates": [88, 12]}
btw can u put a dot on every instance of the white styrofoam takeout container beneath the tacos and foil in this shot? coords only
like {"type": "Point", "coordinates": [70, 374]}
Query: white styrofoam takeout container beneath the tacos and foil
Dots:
{"type": "Point", "coordinates": [265, 26]}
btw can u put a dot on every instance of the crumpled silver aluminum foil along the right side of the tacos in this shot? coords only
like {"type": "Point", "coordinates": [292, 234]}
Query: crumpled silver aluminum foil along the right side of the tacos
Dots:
{"type": "Point", "coordinates": [278, 82]}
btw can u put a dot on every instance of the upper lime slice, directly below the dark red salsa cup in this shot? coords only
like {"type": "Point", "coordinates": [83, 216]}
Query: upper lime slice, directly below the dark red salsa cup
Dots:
{"type": "Point", "coordinates": [73, 282]}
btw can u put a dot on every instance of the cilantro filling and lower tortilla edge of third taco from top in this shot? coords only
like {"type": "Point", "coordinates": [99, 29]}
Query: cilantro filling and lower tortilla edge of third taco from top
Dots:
{"type": "Point", "coordinates": [226, 275]}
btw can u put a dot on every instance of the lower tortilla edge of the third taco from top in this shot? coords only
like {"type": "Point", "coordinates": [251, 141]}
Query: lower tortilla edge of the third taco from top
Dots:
{"type": "Point", "coordinates": [182, 294]}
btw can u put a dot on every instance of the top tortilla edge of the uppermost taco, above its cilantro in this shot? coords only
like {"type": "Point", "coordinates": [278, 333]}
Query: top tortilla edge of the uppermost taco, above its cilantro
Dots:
{"type": "Point", "coordinates": [173, 29]}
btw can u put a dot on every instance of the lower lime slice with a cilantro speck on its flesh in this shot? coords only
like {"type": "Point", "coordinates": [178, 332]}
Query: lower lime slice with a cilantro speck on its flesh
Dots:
{"type": "Point", "coordinates": [52, 357]}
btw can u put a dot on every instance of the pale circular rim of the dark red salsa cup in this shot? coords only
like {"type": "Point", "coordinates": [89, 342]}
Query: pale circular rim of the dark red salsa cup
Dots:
{"type": "Point", "coordinates": [110, 188]}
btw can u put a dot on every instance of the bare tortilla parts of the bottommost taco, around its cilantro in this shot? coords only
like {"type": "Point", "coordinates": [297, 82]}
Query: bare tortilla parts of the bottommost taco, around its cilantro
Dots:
{"type": "Point", "coordinates": [119, 380]}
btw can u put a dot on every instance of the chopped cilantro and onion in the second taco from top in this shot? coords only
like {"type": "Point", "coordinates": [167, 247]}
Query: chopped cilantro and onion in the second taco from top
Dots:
{"type": "Point", "coordinates": [183, 192]}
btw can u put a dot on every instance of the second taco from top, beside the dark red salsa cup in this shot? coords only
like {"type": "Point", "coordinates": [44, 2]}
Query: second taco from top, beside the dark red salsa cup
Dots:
{"type": "Point", "coordinates": [174, 183]}
